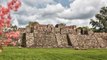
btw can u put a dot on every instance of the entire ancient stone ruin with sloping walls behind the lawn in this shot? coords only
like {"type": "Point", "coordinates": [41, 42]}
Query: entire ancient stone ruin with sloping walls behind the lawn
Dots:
{"type": "Point", "coordinates": [61, 36]}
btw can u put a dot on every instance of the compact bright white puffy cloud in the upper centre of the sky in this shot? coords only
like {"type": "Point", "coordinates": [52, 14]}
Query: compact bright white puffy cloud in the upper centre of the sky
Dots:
{"type": "Point", "coordinates": [51, 10]}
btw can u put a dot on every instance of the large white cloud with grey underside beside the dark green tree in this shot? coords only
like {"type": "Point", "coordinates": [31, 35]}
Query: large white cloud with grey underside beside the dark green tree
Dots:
{"type": "Point", "coordinates": [82, 9]}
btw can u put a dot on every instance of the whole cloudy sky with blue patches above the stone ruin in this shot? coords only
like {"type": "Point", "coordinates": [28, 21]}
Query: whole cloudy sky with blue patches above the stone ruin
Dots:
{"type": "Point", "coordinates": [69, 12]}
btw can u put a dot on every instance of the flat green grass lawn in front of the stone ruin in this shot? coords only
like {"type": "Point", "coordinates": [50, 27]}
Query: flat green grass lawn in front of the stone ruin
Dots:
{"type": "Point", "coordinates": [14, 53]}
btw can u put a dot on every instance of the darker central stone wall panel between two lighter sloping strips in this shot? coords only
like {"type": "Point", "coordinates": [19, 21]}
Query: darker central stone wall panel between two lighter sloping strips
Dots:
{"type": "Point", "coordinates": [45, 40]}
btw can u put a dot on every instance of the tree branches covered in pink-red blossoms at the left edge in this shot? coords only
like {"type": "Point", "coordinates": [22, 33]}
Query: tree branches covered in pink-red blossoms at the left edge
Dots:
{"type": "Point", "coordinates": [5, 19]}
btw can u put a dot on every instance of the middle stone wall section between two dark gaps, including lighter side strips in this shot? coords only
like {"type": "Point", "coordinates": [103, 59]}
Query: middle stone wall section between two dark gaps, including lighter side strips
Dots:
{"type": "Point", "coordinates": [46, 40]}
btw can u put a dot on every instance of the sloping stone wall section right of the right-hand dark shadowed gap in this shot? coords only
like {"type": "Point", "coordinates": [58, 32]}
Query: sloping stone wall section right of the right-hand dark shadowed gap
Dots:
{"type": "Point", "coordinates": [96, 40]}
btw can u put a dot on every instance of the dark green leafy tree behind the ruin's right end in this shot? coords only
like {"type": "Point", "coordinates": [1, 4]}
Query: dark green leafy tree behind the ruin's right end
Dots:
{"type": "Point", "coordinates": [100, 24]}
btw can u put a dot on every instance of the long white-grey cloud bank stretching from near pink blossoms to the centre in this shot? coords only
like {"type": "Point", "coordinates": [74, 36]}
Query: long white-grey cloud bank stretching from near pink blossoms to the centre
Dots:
{"type": "Point", "coordinates": [28, 13]}
